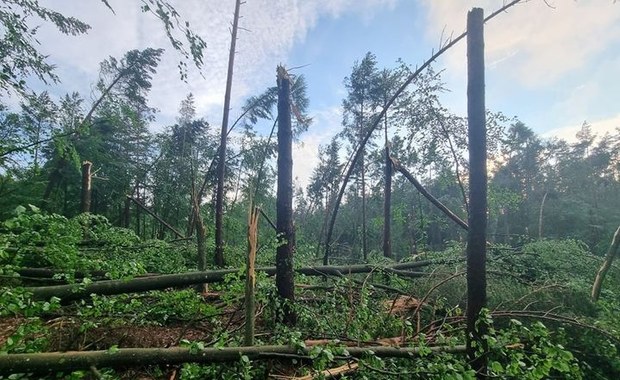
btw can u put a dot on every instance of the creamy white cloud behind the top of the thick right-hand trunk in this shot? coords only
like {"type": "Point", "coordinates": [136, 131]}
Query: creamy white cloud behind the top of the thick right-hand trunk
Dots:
{"type": "Point", "coordinates": [533, 43]}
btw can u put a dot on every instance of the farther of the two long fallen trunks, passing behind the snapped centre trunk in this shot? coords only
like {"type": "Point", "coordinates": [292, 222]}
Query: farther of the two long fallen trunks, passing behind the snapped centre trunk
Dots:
{"type": "Point", "coordinates": [80, 291]}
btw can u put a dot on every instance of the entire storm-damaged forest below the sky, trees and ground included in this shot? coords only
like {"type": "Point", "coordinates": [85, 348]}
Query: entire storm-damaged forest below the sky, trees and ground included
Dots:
{"type": "Point", "coordinates": [426, 245]}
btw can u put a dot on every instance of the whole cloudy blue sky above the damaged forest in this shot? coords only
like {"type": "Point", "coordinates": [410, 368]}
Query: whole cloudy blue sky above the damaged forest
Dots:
{"type": "Point", "coordinates": [553, 64]}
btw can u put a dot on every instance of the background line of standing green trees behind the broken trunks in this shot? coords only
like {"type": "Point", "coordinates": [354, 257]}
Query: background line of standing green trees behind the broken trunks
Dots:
{"type": "Point", "coordinates": [538, 188]}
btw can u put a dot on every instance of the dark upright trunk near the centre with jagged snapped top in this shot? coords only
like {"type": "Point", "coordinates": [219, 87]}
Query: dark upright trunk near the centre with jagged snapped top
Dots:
{"type": "Point", "coordinates": [284, 202]}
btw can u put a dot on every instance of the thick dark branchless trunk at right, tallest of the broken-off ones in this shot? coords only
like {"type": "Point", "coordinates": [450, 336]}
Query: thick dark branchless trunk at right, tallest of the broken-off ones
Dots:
{"type": "Point", "coordinates": [476, 238]}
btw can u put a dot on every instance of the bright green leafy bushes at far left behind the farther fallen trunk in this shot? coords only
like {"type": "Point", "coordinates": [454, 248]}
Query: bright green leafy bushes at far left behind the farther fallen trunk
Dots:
{"type": "Point", "coordinates": [84, 244]}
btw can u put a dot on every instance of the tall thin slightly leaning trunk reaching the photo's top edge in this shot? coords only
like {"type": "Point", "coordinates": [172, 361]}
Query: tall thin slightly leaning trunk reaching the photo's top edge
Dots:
{"type": "Point", "coordinates": [221, 164]}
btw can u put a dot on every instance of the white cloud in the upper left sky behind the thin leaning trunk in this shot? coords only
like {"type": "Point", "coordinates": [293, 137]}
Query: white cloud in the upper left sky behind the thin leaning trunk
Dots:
{"type": "Point", "coordinates": [269, 31]}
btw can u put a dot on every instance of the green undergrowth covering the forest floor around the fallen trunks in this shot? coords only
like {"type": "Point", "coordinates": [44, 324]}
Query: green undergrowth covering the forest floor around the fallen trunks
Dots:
{"type": "Point", "coordinates": [541, 323]}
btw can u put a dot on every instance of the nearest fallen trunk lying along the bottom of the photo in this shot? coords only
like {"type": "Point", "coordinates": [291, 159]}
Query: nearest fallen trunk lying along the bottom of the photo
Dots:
{"type": "Point", "coordinates": [134, 357]}
